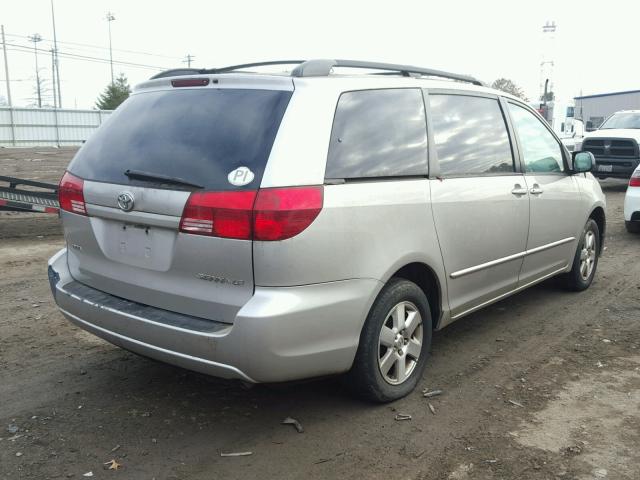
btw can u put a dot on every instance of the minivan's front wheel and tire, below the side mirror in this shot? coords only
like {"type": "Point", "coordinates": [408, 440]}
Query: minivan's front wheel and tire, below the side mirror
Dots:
{"type": "Point", "coordinates": [585, 260]}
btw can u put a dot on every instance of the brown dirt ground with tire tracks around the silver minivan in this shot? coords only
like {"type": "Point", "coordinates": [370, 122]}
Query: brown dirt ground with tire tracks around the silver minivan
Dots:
{"type": "Point", "coordinates": [543, 385]}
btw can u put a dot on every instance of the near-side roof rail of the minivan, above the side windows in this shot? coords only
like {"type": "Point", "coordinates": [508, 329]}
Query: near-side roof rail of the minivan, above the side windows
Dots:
{"type": "Point", "coordinates": [315, 68]}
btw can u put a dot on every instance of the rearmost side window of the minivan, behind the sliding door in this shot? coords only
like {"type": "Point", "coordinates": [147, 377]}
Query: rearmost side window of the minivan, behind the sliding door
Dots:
{"type": "Point", "coordinates": [378, 133]}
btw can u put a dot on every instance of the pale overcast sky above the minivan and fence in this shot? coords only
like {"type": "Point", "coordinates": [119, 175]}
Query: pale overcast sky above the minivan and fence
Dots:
{"type": "Point", "coordinates": [595, 45]}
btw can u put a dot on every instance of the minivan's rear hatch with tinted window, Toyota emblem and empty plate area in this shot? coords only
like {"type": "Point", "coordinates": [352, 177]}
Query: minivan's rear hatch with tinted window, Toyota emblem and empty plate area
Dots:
{"type": "Point", "coordinates": [162, 147]}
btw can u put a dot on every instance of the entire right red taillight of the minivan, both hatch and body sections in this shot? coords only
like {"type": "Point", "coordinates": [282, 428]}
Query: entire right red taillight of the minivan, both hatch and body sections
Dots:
{"type": "Point", "coordinates": [267, 215]}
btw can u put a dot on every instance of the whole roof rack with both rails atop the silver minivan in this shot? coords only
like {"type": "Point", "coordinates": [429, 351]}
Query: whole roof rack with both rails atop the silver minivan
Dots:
{"type": "Point", "coordinates": [323, 68]}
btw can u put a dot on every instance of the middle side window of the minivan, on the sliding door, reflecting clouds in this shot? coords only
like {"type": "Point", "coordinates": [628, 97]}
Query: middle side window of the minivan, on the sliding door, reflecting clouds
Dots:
{"type": "Point", "coordinates": [470, 134]}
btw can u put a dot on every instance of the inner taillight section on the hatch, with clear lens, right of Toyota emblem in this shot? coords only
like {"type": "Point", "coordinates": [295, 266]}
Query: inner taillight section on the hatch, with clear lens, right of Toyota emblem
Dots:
{"type": "Point", "coordinates": [219, 214]}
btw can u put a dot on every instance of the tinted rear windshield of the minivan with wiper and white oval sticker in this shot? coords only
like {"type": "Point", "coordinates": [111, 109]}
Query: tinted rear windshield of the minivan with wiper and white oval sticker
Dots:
{"type": "Point", "coordinates": [198, 136]}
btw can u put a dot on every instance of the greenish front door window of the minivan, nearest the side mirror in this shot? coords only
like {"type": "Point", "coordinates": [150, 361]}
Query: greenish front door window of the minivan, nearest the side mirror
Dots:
{"type": "Point", "coordinates": [540, 150]}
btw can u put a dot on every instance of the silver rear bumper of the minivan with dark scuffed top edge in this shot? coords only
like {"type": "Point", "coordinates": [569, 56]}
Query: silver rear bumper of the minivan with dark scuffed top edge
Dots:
{"type": "Point", "coordinates": [280, 334]}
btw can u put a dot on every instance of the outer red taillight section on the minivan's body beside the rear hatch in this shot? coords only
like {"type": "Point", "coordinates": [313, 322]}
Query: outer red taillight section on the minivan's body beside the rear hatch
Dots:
{"type": "Point", "coordinates": [281, 213]}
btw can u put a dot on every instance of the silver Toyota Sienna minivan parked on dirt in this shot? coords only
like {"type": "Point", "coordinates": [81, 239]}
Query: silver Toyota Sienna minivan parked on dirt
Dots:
{"type": "Point", "coordinates": [274, 227]}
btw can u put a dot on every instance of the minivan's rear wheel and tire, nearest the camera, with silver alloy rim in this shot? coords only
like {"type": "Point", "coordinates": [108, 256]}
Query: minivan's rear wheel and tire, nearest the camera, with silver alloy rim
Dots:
{"type": "Point", "coordinates": [394, 344]}
